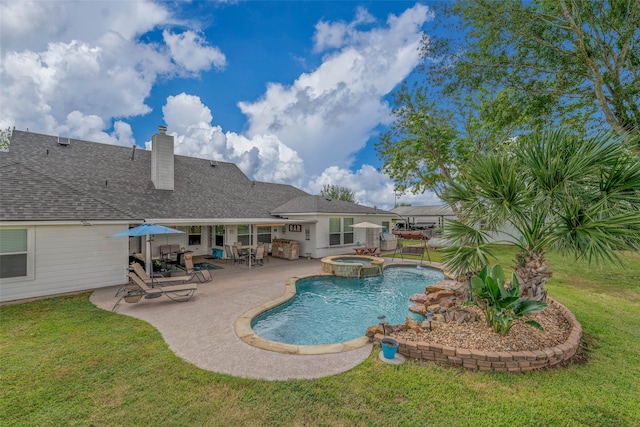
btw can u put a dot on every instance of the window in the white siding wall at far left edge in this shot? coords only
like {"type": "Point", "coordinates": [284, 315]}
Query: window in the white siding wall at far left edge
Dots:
{"type": "Point", "coordinates": [14, 255]}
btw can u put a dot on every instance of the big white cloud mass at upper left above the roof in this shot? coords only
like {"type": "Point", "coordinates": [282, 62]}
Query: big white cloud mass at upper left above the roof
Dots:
{"type": "Point", "coordinates": [69, 58]}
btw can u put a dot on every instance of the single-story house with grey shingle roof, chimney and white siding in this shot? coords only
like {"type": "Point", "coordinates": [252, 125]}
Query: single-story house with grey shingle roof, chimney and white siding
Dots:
{"type": "Point", "coordinates": [60, 198]}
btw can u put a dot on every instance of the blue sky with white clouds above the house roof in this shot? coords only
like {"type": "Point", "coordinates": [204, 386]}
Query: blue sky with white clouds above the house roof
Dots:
{"type": "Point", "coordinates": [293, 92]}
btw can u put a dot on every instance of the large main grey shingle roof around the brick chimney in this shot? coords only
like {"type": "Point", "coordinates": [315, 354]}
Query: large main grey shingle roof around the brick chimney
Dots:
{"type": "Point", "coordinates": [110, 183]}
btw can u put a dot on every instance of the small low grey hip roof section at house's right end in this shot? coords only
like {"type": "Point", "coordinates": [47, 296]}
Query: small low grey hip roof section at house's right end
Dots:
{"type": "Point", "coordinates": [320, 204]}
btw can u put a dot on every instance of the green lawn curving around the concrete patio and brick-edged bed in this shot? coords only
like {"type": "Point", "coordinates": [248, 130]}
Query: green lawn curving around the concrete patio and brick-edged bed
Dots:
{"type": "Point", "coordinates": [66, 362]}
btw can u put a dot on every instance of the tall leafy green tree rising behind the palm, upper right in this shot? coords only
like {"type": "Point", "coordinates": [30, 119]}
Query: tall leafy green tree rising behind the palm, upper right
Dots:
{"type": "Point", "coordinates": [510, 68]}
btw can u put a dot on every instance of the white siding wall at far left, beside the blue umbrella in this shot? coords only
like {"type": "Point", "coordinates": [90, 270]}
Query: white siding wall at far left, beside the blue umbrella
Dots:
{"type": "Point", "coordinates": [72, 258]}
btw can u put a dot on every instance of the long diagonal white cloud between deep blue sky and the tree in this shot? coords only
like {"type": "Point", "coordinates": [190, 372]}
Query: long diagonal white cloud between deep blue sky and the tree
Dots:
{"type": "Point", "coordinates": [330, 113]}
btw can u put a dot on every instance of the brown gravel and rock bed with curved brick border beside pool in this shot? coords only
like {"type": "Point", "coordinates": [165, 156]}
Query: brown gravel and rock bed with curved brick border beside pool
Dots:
{"type": "Point", "coordinates": [460, 336]}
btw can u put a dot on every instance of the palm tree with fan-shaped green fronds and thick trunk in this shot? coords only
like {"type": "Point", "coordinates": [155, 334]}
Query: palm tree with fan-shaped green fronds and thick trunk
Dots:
{"type": "Point", "coordinates": [554, 190]}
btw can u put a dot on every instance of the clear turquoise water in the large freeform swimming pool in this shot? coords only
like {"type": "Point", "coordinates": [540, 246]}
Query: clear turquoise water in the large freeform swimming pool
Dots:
{"type": "Point", "coordinates": [329, 309]}
